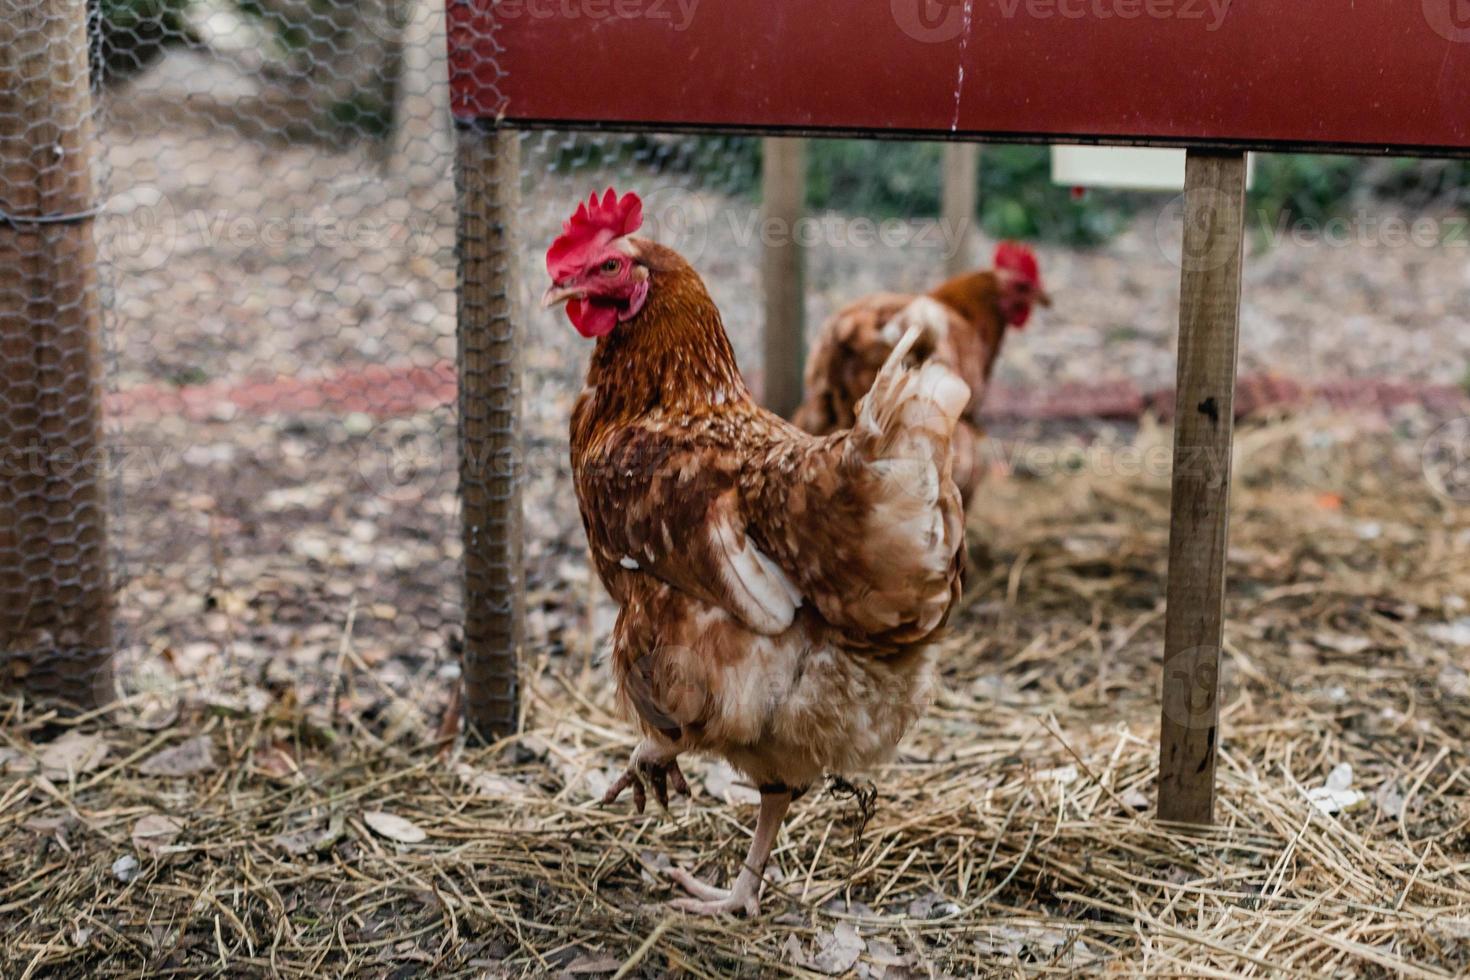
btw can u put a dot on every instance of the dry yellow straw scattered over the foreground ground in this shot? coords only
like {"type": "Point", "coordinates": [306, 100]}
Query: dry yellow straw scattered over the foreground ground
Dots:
{"type": "Point", "coordinates": [1014, 835]}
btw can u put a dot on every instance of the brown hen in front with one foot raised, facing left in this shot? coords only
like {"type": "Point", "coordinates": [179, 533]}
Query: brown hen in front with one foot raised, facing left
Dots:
{"type": "Point", "coordinates": [780, 591]}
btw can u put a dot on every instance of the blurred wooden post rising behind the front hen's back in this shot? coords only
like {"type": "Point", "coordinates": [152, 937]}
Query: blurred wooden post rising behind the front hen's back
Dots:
{"type": "Point", "coordinates": [784, 196]}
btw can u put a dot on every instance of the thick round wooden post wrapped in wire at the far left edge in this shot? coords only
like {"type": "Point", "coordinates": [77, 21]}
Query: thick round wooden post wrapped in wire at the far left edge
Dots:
{"type": "Point", "coordinates": [55, 587]}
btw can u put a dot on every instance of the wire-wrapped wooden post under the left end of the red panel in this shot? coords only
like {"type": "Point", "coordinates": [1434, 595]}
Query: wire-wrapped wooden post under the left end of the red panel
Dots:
{"type": "Point", "coordinates": [489, 174]}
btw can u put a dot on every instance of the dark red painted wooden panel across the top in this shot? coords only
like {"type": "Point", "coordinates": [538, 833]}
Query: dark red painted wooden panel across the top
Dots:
{"type": "Point", "coordinates": [1355, 74]}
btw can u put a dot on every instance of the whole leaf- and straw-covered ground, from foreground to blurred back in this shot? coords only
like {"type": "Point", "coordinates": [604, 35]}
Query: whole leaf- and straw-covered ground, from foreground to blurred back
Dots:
{"type": "Point", "coordinates": [290, 605]}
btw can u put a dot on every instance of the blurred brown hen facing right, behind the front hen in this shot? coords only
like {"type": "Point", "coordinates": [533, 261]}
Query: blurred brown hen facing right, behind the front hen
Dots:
{"type": "Point", "coordinates": [964, 325]}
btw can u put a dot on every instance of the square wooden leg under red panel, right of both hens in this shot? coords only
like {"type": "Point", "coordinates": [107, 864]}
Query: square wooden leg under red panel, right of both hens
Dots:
{"type": "Point", "coordinates": [1209, 330]}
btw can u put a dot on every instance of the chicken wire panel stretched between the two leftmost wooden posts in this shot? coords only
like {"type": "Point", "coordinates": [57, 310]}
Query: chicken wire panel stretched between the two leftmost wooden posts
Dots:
{"type": "Point", "coordinates": [280, 251]}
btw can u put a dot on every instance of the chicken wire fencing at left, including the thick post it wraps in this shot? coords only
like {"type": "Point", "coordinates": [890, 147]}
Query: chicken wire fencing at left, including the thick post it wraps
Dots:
{"type": "Point", "coordinates": [270, 189]}
